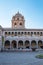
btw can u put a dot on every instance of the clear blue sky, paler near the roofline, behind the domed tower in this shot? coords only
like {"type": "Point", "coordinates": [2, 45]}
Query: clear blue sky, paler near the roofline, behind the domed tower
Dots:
{"type": "Point", "coordinates": [32, 10]}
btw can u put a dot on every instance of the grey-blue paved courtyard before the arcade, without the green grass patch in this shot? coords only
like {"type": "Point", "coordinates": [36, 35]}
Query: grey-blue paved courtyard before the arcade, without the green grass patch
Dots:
{"type": "Point", "coordinates": [20, 58]}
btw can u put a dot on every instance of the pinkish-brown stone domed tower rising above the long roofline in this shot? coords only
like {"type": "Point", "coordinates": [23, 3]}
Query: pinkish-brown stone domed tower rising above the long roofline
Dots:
{"type": "Point", "coordinates": [18, 21]}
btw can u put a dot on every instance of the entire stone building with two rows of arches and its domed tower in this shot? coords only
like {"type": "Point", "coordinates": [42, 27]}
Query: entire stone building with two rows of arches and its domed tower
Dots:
{"type": "Point", "coordinates": [18, 37]}
